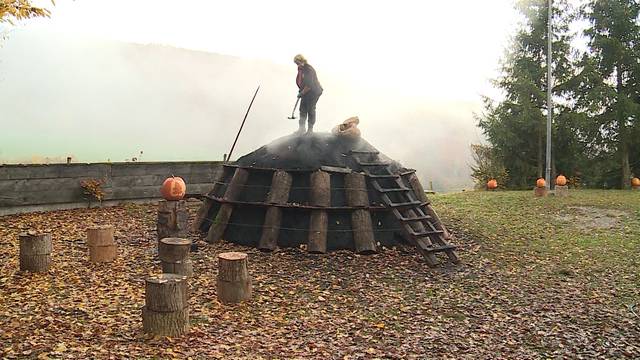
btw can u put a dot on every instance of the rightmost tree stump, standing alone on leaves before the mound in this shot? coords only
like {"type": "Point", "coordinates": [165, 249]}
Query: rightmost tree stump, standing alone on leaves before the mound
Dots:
{"type": "Point", "coordinates": [234, 281]}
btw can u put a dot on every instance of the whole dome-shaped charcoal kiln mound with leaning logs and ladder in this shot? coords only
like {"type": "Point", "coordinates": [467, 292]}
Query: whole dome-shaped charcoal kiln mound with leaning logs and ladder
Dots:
{"type": "Point", "coordinates": [325, 192]}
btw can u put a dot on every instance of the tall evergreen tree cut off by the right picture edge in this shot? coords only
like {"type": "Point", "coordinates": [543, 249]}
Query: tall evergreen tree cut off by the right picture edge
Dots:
{"type": "Point", "coordinates": [608, 86]}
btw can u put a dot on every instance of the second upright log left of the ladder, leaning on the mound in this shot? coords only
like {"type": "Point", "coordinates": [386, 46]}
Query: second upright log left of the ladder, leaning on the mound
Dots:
{"type": "Point", "coordinates": [319, 222]}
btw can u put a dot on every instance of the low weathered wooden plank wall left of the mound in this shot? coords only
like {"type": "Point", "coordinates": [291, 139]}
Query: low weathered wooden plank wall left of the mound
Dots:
{"type": "Point", "coordinates": [51, 186]}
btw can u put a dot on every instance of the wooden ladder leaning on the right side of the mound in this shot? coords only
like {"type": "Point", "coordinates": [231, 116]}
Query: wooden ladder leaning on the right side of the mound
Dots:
{"type": "Point", "coordinates": [418, 226]}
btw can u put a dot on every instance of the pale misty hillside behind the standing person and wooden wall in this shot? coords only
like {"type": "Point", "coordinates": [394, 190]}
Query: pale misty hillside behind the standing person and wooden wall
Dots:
{"type": "Point", "coordinates": [102, 100]}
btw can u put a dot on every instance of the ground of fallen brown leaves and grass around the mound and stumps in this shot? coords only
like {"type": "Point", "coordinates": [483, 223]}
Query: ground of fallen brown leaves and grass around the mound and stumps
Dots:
{"type": "Point", "coordinates": [540, 278]}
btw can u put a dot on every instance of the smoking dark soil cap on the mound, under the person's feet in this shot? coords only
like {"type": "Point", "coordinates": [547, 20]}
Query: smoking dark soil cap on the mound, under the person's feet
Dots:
{"type": "Point", "coordinates": [310, 152]}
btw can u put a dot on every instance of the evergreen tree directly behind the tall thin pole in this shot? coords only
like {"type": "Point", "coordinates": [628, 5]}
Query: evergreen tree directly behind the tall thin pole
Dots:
{"type": "Point", "coordinates": [516, 126]}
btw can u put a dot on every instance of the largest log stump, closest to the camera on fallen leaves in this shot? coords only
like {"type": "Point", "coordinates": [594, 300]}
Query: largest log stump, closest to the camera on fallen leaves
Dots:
{"type": "Point", "coordinates": [166, 310]}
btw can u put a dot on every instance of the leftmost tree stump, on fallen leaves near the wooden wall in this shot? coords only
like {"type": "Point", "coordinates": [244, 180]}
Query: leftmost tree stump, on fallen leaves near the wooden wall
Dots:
{"type": "Point", "coordinates": [35, 252]}
